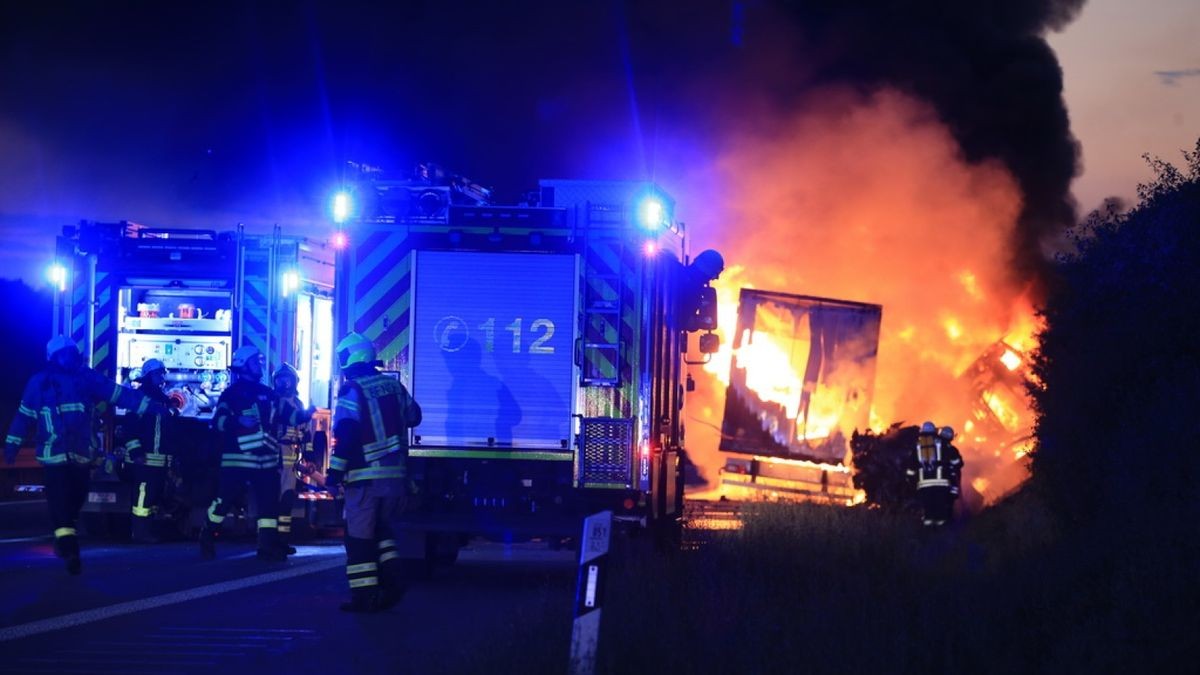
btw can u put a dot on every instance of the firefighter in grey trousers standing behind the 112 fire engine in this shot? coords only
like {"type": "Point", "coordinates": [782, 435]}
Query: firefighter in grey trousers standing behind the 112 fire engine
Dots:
{"type": "Point", "coordinates": [371, 423]}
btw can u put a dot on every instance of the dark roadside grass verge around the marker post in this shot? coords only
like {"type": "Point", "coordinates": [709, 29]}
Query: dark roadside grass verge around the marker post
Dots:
{"type": "Point", "coordinates": [817, 589]}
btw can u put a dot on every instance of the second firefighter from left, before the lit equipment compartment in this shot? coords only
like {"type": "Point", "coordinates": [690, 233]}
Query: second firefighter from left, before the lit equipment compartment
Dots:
{"type": "Point", "coordinates": [147, 453]}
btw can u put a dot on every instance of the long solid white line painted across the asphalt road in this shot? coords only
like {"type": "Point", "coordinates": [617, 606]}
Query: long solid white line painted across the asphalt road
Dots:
{"type": "Point", "coordinates": [100, 614]}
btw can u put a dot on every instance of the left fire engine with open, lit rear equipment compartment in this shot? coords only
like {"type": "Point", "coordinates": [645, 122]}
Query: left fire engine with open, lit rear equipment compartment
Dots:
{"type": "Point", "coordinates": [127, 294]}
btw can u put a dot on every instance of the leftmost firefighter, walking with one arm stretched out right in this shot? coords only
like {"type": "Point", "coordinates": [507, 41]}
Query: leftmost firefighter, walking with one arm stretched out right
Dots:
{"type": "Point", "coordinates": [58, 410]}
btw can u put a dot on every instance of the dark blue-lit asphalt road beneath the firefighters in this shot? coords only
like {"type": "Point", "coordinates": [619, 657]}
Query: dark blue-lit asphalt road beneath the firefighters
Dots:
{"type": "Point", "coordinates": [160, 610]}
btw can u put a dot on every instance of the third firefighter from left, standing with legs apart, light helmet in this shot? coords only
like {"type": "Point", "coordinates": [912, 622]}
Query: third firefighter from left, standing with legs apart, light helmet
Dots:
{"type": "Point", "coordinates": [245, 420]}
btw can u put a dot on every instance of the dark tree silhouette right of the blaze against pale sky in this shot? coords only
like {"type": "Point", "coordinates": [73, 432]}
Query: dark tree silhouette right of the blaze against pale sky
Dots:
{"type": "Point", "coordinates": [1119, 369]}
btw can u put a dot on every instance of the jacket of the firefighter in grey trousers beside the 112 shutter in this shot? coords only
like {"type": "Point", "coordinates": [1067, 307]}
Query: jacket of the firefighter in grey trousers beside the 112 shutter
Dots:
{"type": "Point", "coordinates": [371, 423]}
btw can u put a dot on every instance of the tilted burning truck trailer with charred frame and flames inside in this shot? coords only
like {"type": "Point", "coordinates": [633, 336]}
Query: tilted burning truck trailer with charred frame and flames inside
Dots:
{"type": "Point", "coordinates": [802, 379]}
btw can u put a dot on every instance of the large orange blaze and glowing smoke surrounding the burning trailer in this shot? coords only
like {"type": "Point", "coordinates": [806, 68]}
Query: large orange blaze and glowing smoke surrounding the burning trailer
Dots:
{"type": "Point", "coordinates": [871, 200]}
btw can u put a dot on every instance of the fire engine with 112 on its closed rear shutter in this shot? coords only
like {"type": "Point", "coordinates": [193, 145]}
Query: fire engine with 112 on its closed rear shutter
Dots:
{"type": "Point", "coordinates": [545, 343]}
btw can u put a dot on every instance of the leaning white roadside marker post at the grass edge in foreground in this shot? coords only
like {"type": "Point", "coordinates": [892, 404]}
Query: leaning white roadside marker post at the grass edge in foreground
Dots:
{"type": "Point", "coordinates": [590, 593]}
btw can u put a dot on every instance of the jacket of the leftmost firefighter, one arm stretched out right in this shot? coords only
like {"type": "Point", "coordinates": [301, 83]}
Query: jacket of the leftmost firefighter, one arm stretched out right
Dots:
{"type": "Point", "coordinates": [58, 410]}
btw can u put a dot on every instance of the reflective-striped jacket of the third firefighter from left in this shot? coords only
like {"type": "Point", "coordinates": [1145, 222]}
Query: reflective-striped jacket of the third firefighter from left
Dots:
{"type": "Point", "coordinates": [255, 446]}
